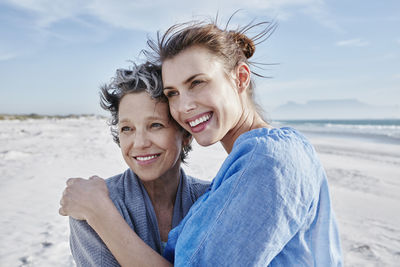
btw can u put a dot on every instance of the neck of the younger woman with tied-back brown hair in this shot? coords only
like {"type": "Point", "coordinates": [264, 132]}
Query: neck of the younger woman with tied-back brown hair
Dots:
{"type": "Point", "coordinates": [248, 121]}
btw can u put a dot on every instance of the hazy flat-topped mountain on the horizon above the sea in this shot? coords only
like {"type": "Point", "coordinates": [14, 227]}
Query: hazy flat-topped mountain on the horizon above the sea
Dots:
{"type": "Point", "coordinates": [334, 109]}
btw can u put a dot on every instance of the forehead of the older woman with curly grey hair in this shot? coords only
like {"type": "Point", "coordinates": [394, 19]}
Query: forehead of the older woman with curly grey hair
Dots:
{"type": "Point", "coordinates": [140, 106]}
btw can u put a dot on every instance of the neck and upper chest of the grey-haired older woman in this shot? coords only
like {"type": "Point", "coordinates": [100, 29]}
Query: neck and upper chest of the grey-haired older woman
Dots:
{"type": "Point", "coordinates": [162, 191]}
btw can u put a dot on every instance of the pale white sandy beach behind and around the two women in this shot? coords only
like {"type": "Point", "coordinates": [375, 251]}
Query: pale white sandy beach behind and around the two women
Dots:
{"type": "Point", "coordinates": [37, 156]}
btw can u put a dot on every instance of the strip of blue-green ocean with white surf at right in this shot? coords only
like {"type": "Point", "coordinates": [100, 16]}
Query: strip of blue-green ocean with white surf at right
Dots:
{"type": "Point", "coordinates": [383, 130]}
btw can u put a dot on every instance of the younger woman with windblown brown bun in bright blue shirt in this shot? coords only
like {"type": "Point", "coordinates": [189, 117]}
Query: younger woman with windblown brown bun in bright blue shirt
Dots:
{"type": "Point", "coordinates": [269, 203]}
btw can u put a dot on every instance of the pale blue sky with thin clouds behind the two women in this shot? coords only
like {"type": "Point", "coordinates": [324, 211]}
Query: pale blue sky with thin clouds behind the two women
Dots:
{"type": "Point", "coordinates": [55, 54]}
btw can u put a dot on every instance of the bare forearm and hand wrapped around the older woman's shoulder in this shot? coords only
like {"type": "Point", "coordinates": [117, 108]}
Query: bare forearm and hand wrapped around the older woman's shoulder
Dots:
{"type": "Point", "coordinates": [88, 200]}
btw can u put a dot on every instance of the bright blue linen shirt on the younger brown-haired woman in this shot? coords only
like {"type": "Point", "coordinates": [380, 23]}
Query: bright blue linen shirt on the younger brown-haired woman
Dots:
{"type": "Point", "coordinates": [269, 205]}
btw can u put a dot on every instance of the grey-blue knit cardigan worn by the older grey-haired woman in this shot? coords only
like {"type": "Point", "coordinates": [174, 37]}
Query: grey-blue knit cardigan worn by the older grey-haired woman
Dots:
{"type": "Point", "coordinates": [132, 201]}
